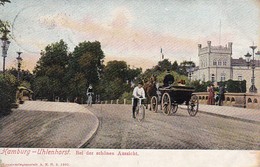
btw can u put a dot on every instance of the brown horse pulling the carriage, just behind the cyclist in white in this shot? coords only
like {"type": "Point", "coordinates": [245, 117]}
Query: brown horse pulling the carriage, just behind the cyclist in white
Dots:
{"type": "Point", "coordinates": [150, 89]}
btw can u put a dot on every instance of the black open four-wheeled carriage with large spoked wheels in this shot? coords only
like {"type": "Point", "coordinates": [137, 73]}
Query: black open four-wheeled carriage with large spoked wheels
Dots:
{"type": "Point", "coordinates": [172, 96]}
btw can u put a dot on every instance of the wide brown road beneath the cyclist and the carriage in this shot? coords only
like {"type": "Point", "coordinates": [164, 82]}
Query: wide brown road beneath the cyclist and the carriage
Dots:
{"type": "Point", "coordinates": [118, 130]}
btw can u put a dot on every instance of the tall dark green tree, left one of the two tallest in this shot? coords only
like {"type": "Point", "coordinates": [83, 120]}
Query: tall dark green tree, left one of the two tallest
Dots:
{"type": "Point", "coordinates": [51, 68]}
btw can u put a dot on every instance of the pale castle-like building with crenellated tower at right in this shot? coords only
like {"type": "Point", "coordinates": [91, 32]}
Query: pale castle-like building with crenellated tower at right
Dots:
{"type": "Point", "coordinates": [216, 64]}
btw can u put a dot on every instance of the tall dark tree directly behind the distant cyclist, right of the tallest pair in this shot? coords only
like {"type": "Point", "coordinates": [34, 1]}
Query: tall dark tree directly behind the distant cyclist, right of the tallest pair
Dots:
{"type": "Point", "coordinates": [85, 67]}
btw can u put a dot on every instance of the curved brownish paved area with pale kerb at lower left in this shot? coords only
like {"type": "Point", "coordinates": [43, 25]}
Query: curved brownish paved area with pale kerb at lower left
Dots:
{"type": "Point", "coordinates": [48, 125]}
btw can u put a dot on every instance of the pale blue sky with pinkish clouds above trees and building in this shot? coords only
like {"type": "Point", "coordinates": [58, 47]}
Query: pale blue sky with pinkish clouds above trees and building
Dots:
{"type": "Point", "coordinates": [131, 30]}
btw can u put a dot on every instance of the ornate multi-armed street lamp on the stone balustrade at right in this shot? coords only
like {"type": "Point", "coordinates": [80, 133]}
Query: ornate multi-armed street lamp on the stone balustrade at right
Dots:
{"type": "Point", "coordinates": [252, 89]}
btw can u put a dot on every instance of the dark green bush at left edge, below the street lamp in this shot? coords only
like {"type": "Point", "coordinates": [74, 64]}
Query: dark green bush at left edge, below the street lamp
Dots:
{"type": "Point", "coordinates": [8, 87]}
